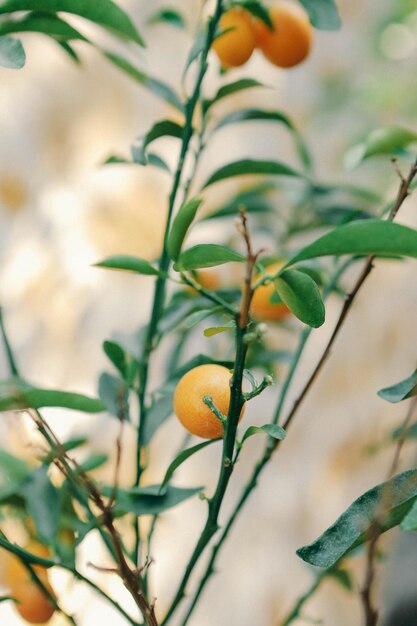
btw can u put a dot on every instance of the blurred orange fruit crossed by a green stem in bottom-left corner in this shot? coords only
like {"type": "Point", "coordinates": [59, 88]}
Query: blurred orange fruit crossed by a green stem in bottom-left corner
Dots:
{"type": "Point", "coordinates": [31, 603]}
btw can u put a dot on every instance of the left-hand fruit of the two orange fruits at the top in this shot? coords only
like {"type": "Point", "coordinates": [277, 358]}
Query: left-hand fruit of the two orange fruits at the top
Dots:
{"type": "Point", "coordinates": [235, 47]}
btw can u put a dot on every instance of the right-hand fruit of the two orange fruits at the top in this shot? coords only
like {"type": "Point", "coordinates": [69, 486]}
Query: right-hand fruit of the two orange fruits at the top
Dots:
{"type": "Point", "coordinates": [290, 42]}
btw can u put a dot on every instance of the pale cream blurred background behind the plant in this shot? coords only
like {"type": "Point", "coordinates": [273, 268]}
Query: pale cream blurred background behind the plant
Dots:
{"type": "Point", "coordinates": [60, 212]}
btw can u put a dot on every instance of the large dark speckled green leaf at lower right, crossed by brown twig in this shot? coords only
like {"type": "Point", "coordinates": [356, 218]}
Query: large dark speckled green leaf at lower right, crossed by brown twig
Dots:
{"type": "Point", "coordinates": [353, 526]}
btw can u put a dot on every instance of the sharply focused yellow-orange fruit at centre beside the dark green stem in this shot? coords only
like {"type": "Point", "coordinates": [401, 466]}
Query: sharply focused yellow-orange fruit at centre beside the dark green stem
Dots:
{"type": "Point", "coordinates": [196, 417]}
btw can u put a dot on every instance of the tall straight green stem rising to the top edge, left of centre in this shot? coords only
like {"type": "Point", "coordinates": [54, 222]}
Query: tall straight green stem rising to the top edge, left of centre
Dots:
{"type": "Point", "coordinates": [164, 263]}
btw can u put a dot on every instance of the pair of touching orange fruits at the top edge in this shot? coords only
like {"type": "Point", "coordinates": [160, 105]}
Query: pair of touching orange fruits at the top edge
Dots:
{"type": "Point", "coordinates": [287, 44]}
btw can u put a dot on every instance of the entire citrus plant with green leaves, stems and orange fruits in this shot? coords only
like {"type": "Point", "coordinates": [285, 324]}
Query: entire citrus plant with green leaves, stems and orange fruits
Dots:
{"type": "Point", "coordinates": [286, 282]}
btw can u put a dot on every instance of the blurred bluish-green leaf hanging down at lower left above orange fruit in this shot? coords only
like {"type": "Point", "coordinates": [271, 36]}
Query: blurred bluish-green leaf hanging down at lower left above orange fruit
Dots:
{"type": "Point", "coordinates": [43, 503]}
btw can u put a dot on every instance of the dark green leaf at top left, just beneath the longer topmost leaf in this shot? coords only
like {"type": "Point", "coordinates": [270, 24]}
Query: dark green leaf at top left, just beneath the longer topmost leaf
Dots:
{"type": "Point", "coordinates": [50, 25]}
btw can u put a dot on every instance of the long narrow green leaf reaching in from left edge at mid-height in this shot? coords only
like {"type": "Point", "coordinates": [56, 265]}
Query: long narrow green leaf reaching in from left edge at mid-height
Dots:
{"type": "Point", "coordinates": [16, 394]}
